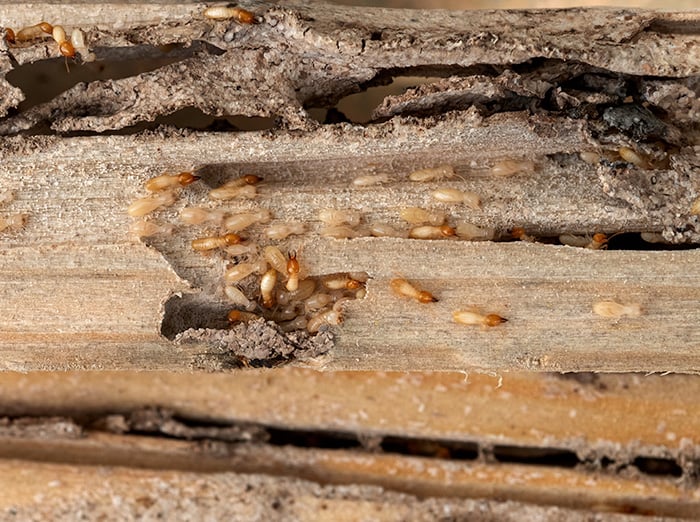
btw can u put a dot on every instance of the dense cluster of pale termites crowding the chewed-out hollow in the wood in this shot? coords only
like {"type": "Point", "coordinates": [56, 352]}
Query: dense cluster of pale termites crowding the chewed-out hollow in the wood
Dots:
{"type": "Point", "coordinates": [261, 279]}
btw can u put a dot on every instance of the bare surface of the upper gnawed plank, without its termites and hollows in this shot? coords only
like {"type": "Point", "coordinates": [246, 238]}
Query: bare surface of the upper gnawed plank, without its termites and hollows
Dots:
{"type": "Point", "coordinates": [78, 293]}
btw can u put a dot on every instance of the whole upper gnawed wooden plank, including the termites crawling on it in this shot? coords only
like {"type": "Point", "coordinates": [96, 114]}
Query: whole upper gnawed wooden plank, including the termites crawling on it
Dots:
{"type": "Point", "coordinates": [147, 250]}
